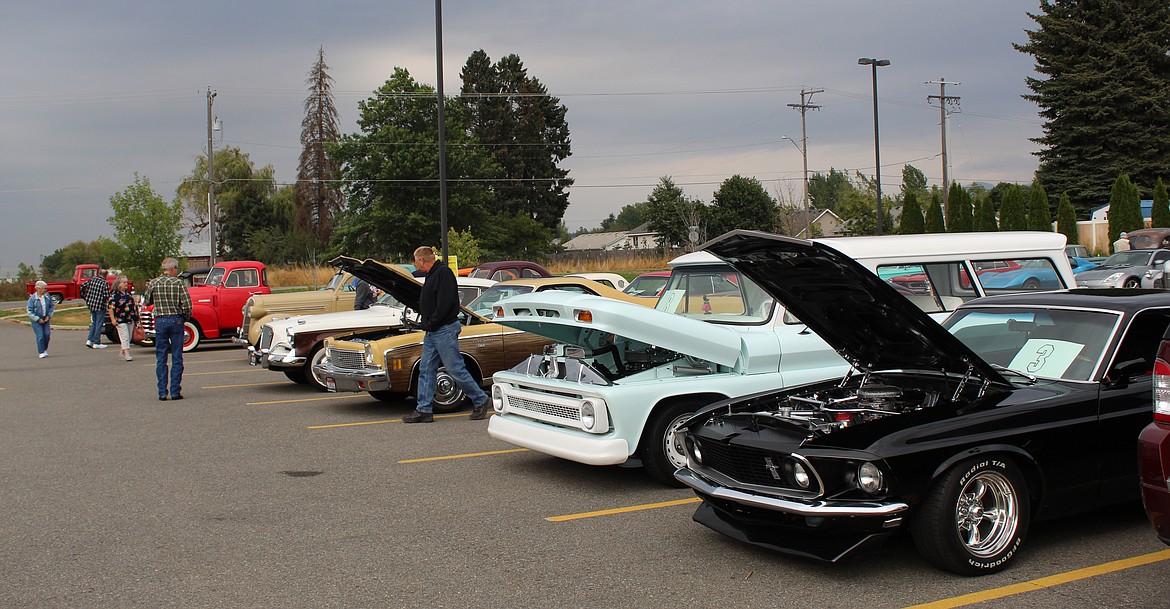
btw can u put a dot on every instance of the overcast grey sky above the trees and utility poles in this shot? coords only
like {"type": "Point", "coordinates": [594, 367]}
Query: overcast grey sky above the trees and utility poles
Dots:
{"type": "Point", "coordinates": [94, 93]}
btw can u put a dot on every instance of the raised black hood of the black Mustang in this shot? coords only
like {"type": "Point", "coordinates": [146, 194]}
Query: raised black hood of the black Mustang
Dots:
{"type": "Point", "coordinates": [859, 315]}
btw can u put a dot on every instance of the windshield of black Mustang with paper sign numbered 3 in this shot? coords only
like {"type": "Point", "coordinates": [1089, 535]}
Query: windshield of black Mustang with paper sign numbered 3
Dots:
{"type": "Point", "coordinates": [1047, 343]}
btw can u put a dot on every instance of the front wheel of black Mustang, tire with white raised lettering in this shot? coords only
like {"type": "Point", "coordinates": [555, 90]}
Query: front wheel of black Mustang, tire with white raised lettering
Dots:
{"type": "Point", "coordinates": [975, 518]}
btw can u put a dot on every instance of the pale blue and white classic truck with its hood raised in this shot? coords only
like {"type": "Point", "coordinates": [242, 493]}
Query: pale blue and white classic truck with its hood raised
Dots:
{"type": "Point", "coordinates": [622, 378]}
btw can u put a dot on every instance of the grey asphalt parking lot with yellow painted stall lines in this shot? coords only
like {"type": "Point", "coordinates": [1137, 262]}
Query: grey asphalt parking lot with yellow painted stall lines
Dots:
{"type": "Point", "coordinates": [259, 493]}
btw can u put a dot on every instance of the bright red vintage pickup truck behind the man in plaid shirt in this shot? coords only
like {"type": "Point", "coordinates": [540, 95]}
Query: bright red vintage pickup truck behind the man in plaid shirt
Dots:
{"type": "Point", "coordinates": [217, 306]}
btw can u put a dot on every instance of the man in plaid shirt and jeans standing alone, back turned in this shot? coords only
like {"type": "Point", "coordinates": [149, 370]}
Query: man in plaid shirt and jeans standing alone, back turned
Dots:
{"type": "Point", "coordinates": [173, 308]}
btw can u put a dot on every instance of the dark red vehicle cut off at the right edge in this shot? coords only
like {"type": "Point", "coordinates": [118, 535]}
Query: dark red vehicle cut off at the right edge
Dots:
{"type": "Point", "coordinates": [1154, 448]}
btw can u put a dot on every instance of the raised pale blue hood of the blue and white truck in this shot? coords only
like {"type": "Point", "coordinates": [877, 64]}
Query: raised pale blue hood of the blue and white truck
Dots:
{"type": "Point", "coordinates": [554, 314]}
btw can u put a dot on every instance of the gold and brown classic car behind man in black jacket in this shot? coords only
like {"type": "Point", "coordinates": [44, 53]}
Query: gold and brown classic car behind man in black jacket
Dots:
{"type": "Point", "coordinates": [386, 363]}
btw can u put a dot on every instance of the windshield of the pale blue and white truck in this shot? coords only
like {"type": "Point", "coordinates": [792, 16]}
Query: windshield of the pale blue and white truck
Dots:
{"type": "Point", "coordinates": [719, 295]}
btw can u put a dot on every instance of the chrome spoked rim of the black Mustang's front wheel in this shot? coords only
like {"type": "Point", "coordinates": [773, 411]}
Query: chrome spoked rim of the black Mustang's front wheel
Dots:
{"type": "Point", "coordinates": [987, 515]}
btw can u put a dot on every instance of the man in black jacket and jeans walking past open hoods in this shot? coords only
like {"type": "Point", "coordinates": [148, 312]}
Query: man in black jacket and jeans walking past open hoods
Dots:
{"type": "Point", "coordinates": [439, 317]}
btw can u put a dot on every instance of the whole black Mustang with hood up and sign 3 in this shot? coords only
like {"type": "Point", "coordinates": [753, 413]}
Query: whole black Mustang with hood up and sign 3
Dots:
{"type": "Point", "coordinates": [961, 432]}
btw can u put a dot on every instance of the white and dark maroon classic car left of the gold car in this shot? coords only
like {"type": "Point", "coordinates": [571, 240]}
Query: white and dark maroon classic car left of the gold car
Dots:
{"type": "Point", "coordinates": [297, 344]}
